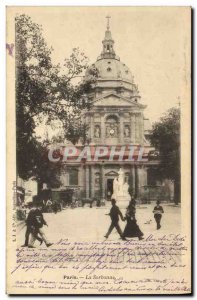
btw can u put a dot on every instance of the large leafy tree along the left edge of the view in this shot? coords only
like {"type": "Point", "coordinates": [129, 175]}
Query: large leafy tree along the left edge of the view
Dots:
{"type": "Point", "coordinates": [45, 93]}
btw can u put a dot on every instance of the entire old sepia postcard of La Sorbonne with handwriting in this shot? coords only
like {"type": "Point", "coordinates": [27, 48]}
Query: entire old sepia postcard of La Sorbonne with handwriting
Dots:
{"type": "Point", "coordinates": [98, 167]}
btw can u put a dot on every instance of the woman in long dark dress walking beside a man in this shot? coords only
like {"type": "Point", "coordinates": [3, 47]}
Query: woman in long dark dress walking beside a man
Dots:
{"type": "Point", "coordinates": [131, 228]}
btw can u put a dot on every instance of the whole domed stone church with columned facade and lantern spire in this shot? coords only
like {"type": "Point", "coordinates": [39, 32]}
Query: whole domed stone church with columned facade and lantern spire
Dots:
{"type": "Point", "coordinates": [116, 120]}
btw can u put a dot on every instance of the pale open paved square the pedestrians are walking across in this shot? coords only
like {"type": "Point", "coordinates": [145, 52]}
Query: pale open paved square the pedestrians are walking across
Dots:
{"type": "Point", "coordinates": [91, 224]}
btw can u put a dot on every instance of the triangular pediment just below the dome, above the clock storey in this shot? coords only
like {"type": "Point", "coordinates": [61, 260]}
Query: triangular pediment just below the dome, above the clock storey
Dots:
{"type": "Point", "coordinates": [115, 100]}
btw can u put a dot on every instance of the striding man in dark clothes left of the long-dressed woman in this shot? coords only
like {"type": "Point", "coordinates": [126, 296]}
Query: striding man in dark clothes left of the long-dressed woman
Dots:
{"type": "Point", "coordinates": [114, 215]}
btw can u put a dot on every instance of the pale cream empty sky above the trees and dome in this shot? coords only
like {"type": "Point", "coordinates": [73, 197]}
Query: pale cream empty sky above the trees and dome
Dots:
{"type": "Point", "coordinates": [153, 42]}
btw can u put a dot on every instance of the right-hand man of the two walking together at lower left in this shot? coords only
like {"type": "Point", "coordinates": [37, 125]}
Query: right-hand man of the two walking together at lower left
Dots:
{"type": "Point", "coordinates": [38, 221]}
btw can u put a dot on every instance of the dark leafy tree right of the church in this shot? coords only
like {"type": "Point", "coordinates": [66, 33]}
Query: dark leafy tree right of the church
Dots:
{"type": "Point", "coordinates": [165, 138]}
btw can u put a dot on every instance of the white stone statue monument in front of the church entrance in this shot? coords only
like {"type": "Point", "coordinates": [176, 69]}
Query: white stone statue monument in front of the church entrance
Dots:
{"type": "Point", "coordinates": [120, 188]}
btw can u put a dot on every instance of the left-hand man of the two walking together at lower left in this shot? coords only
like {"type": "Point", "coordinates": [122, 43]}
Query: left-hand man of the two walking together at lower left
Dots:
{"type": "Point", "coordinates": [30, 227]}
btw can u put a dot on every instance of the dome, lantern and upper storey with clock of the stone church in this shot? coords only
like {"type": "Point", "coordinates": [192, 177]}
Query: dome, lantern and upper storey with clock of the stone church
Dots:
{"type": "Point", "coordinates": [117, 117]}
